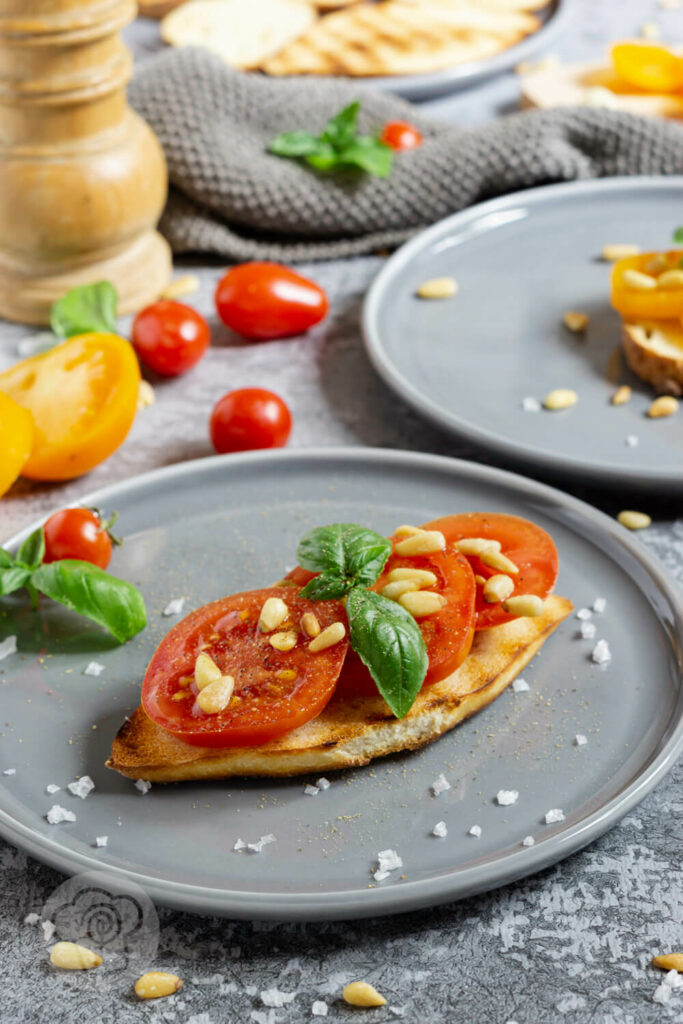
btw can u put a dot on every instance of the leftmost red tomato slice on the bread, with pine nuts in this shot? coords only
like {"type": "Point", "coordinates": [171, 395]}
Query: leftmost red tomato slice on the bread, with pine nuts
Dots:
{"type": "Point", "coordinates": [266, 704]}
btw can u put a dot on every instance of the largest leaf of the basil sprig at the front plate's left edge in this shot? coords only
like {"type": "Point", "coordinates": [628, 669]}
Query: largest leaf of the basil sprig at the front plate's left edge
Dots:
{"type": "Point", "coordinates": [111, 603]}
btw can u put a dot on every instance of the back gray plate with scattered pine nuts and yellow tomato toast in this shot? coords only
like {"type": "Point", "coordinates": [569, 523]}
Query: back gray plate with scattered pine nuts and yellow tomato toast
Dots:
{"type": "Point", "coordinates": [522, 263]}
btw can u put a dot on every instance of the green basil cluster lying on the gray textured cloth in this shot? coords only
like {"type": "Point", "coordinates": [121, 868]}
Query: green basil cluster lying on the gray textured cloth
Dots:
{"type": "Point", "coordinates": [338, 146]}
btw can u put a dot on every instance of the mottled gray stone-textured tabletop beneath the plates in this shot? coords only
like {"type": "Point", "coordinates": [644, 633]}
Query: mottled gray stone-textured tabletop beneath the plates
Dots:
{"type": "Point", "coordinates": [572, 945]}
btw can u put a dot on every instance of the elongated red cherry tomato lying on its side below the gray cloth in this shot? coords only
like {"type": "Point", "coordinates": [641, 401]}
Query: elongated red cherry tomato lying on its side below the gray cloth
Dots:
{"type": "Point", "coordinates": [267, 301]}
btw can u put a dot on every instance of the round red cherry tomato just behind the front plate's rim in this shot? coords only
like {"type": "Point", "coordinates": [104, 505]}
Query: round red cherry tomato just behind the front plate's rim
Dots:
{"type": "Point", "coordinates": [250, 418]}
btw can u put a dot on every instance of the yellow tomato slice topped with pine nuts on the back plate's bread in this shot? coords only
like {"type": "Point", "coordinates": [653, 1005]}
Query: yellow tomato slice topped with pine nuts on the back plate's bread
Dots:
{"type": "Point", "coordinates": [654, 304]}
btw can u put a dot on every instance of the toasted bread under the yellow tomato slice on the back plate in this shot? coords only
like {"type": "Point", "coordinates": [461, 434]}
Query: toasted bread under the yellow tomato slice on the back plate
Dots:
{"type": "Point", "coordinates": [655, 351]}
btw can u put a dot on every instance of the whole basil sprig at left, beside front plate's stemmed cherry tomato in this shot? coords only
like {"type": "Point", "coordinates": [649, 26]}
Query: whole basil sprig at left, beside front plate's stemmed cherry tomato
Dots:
{"type": "Point", "coordinates": [80, 586]}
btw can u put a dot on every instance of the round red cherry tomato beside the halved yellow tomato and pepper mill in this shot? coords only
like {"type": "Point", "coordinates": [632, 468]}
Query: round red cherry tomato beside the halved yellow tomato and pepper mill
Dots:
{"type": "Point", "coordinates": [170, 337]}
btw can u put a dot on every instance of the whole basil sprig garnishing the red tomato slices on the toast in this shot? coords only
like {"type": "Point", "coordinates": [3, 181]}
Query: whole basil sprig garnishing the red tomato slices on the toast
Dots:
{"type": "Point", "coordinates": [386, 636]}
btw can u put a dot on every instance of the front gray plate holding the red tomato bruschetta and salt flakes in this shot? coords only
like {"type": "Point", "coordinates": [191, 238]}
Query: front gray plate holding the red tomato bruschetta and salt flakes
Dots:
{"type": "Point", "coordinates": [209, 528]}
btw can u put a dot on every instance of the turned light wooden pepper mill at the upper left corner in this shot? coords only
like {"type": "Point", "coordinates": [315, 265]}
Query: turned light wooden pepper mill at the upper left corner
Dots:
{"type": "Point", "coordinates": [82, 179]}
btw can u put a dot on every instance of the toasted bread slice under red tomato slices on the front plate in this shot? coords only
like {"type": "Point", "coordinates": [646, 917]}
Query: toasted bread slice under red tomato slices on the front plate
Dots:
{"type": "Point", "coordinates": [349, 733]}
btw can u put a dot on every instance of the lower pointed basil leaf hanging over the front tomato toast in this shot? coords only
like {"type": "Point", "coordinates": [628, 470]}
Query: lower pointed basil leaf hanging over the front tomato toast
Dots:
{"type": "Point", "coordinates": [391, 646]}
